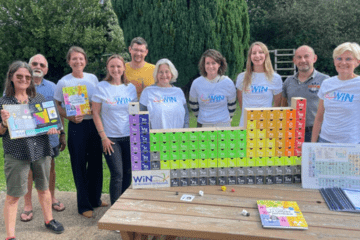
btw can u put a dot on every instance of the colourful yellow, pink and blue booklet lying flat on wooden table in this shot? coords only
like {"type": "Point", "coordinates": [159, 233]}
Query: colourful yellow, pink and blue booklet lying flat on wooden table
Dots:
{"type": "Point", "coordinates": [281, 214]}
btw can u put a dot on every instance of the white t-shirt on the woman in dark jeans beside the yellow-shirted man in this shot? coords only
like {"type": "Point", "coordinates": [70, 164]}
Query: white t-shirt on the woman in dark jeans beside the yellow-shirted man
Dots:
{"type": "Point", "coordinates": [115, 101]}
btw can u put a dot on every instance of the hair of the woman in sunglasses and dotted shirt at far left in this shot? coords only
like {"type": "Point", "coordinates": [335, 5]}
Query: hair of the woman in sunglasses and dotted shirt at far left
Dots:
{"type": "Point", "coordinates": [9, 85]}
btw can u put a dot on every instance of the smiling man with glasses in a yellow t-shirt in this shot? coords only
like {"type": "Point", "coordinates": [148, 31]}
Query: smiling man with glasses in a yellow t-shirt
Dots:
{"type": "Point", "coordinates": [139, 72]}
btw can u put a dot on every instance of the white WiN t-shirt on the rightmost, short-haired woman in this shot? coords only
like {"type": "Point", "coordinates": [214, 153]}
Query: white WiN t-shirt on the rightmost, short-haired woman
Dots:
{"type": "Point", "coordinates": [342, 110]}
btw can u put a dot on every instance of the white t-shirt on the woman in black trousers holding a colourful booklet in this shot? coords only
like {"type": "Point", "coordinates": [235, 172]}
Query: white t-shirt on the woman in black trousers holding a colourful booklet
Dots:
{"type": "Point", "coordinates": [90, 80]}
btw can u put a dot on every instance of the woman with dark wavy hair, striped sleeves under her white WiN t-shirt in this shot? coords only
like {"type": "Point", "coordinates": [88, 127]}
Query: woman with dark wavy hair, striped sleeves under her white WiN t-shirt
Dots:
{"type": "Point", "coordinates": [213, 95]}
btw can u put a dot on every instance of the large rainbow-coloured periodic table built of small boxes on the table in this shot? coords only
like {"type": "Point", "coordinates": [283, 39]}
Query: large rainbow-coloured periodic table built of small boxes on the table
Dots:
{"type": "Point", "coordinates": [266, 151]}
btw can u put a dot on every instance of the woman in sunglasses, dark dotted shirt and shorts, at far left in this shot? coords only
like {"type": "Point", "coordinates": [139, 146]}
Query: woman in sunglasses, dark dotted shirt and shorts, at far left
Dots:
{"type": "Point", "coordinates": [23, 154]}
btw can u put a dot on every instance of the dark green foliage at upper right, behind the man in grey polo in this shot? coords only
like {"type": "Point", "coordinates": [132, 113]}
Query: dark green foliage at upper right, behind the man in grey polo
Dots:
{"type": "Point", "coordinates": [322, 24]}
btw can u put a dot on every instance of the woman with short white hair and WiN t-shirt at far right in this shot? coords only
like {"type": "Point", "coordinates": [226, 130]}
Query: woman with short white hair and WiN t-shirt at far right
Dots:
{"type": "Point", "coordinates": [339, 106]}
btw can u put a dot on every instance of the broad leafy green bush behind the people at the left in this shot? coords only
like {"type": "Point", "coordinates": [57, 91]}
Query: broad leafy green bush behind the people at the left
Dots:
{"type": "Point", "coordinates": [51, 27]}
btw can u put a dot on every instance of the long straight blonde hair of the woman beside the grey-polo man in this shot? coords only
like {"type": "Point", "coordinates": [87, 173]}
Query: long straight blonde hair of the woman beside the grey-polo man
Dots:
{"type": "Point", "coordinates": [269, 71]}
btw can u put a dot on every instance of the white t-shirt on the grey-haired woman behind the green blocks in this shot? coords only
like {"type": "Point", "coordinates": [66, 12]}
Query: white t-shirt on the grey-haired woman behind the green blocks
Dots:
{"type": "Point", "coordinates": [165, 106]}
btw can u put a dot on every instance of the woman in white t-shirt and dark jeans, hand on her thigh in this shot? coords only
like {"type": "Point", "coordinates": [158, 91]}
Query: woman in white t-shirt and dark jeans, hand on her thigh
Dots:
{"type": "Point", "coordinates": [110, 104]}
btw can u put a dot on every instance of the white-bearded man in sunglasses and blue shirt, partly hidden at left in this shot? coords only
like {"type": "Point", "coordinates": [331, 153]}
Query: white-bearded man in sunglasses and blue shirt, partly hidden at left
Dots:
{"type": "Point", "coordinates": [39, 65]}
